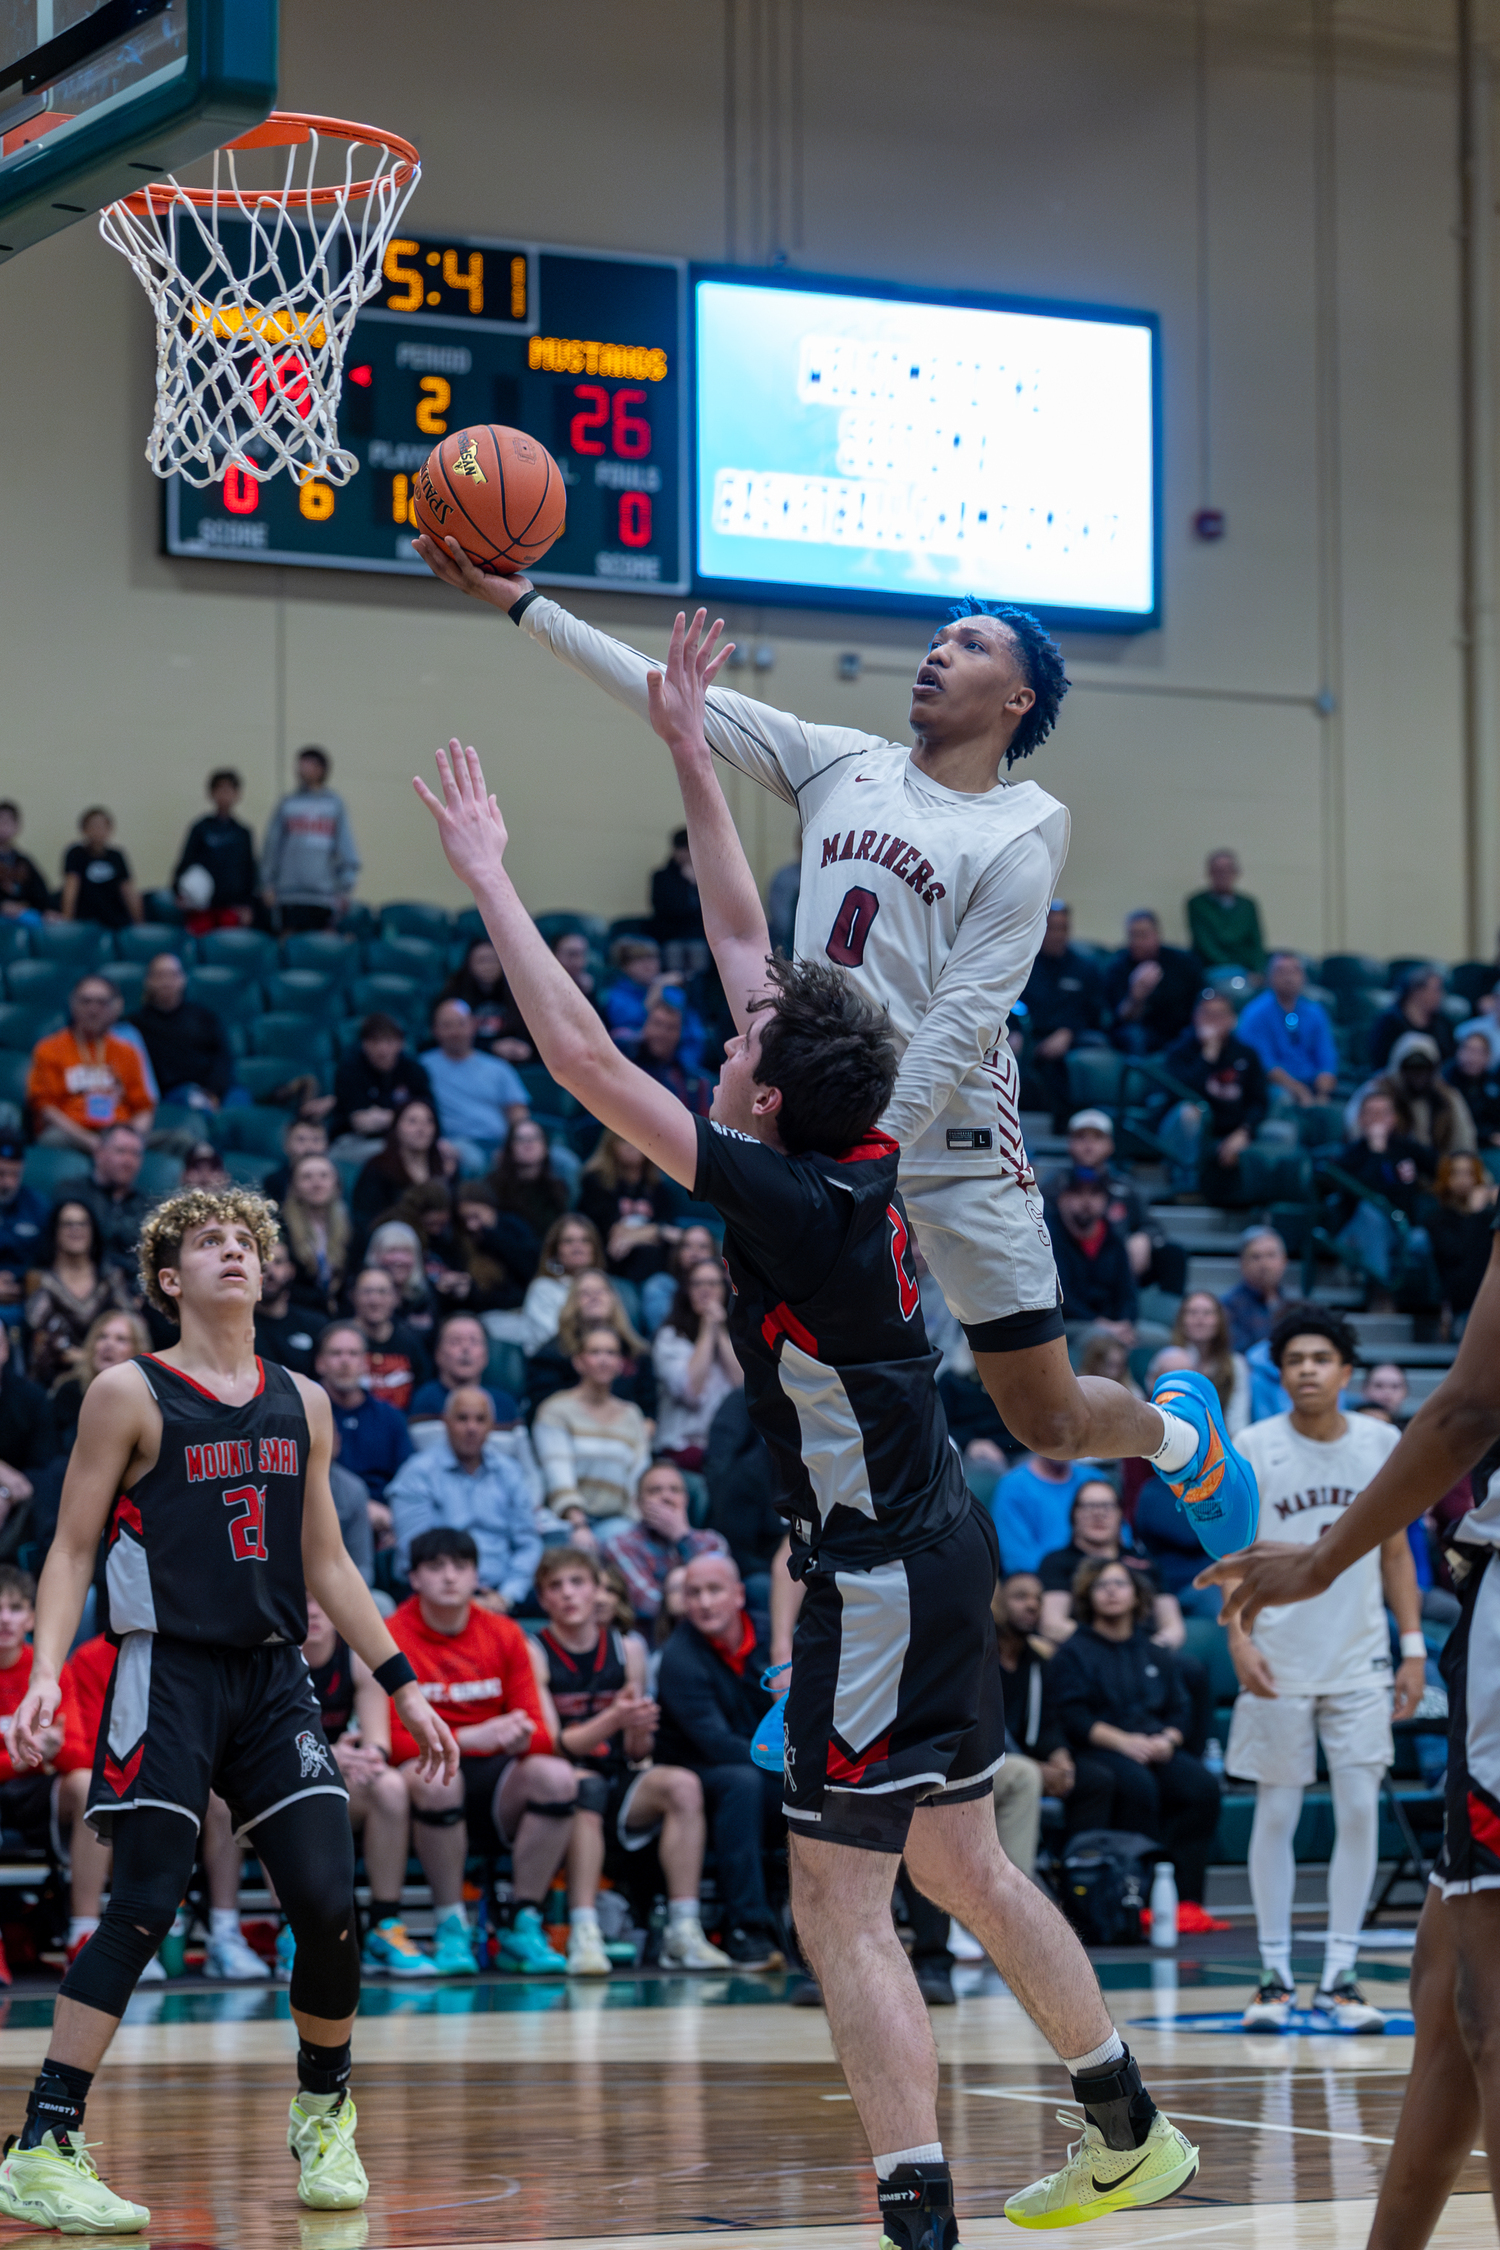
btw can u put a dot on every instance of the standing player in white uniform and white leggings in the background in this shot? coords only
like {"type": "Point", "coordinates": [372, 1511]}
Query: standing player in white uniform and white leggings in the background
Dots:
{"type": "Point", "coordinates": [1321, 1673]}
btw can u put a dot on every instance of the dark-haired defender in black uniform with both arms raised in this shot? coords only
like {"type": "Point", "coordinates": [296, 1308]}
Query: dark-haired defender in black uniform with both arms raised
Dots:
{"type": "Point", "coordinates": [889, 1720]}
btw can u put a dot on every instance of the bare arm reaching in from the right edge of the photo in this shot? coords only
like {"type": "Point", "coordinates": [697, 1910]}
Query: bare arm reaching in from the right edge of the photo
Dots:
{"type": "Point", "coordinates": [1440, 1446]}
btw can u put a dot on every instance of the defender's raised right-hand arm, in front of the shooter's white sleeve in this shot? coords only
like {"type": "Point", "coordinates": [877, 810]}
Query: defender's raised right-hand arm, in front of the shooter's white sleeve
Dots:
{"type": "Point", "coordinates": [734, 919]}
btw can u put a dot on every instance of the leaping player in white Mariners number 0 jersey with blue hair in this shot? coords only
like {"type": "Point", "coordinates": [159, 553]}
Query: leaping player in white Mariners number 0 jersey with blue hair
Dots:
{"type": "Point", "coordinates": [928, 879]}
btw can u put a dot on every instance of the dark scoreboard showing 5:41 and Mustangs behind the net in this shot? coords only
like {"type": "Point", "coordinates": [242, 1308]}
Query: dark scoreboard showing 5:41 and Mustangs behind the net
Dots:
{"type": "Point", "coordinates": [581, 350]}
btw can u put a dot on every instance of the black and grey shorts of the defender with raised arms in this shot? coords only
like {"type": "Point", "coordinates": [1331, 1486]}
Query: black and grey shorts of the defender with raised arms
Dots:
{"type": "Point", "coordinates": [896, 1691]}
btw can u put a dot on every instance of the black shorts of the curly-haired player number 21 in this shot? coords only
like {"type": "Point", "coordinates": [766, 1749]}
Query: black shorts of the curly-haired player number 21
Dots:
{"type": "Point", "coordinates": [183, 1720]}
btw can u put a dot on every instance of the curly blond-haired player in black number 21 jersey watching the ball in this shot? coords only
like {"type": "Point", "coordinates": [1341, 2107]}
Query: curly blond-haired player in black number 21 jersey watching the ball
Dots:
{"type": "Point", "coordinates": [213, 1475]}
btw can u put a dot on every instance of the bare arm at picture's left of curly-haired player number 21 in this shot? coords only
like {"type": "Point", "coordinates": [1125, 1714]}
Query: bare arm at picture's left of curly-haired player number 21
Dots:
{"type": "Point", "coordinates": [118, 1421]}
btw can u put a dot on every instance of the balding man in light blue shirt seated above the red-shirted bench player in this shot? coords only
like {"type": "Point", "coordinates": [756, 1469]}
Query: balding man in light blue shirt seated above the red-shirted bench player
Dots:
{"type": "Point", "coordinates": [460, 1486]}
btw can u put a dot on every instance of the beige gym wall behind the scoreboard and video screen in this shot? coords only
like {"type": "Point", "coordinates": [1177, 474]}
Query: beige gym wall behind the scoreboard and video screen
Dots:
{"type": "Point", "coordinates": [1015, 145]}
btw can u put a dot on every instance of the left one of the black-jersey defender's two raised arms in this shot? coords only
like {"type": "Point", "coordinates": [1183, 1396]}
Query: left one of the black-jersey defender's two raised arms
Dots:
{"type": "Point", "coordinates": [570, 1036]}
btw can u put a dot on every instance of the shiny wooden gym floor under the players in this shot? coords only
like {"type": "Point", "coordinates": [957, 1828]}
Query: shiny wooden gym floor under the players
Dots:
{"type": "Point", "coordinates": [676, 2112]}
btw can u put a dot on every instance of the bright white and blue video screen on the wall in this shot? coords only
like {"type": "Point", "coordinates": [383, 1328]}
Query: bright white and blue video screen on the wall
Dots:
{"type": "Point", "coordinates": [880, 451]}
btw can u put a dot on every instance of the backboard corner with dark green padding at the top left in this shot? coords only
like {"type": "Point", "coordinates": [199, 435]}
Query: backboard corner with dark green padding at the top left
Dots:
{"type": "Point", "coordinates": [96, 100]}
